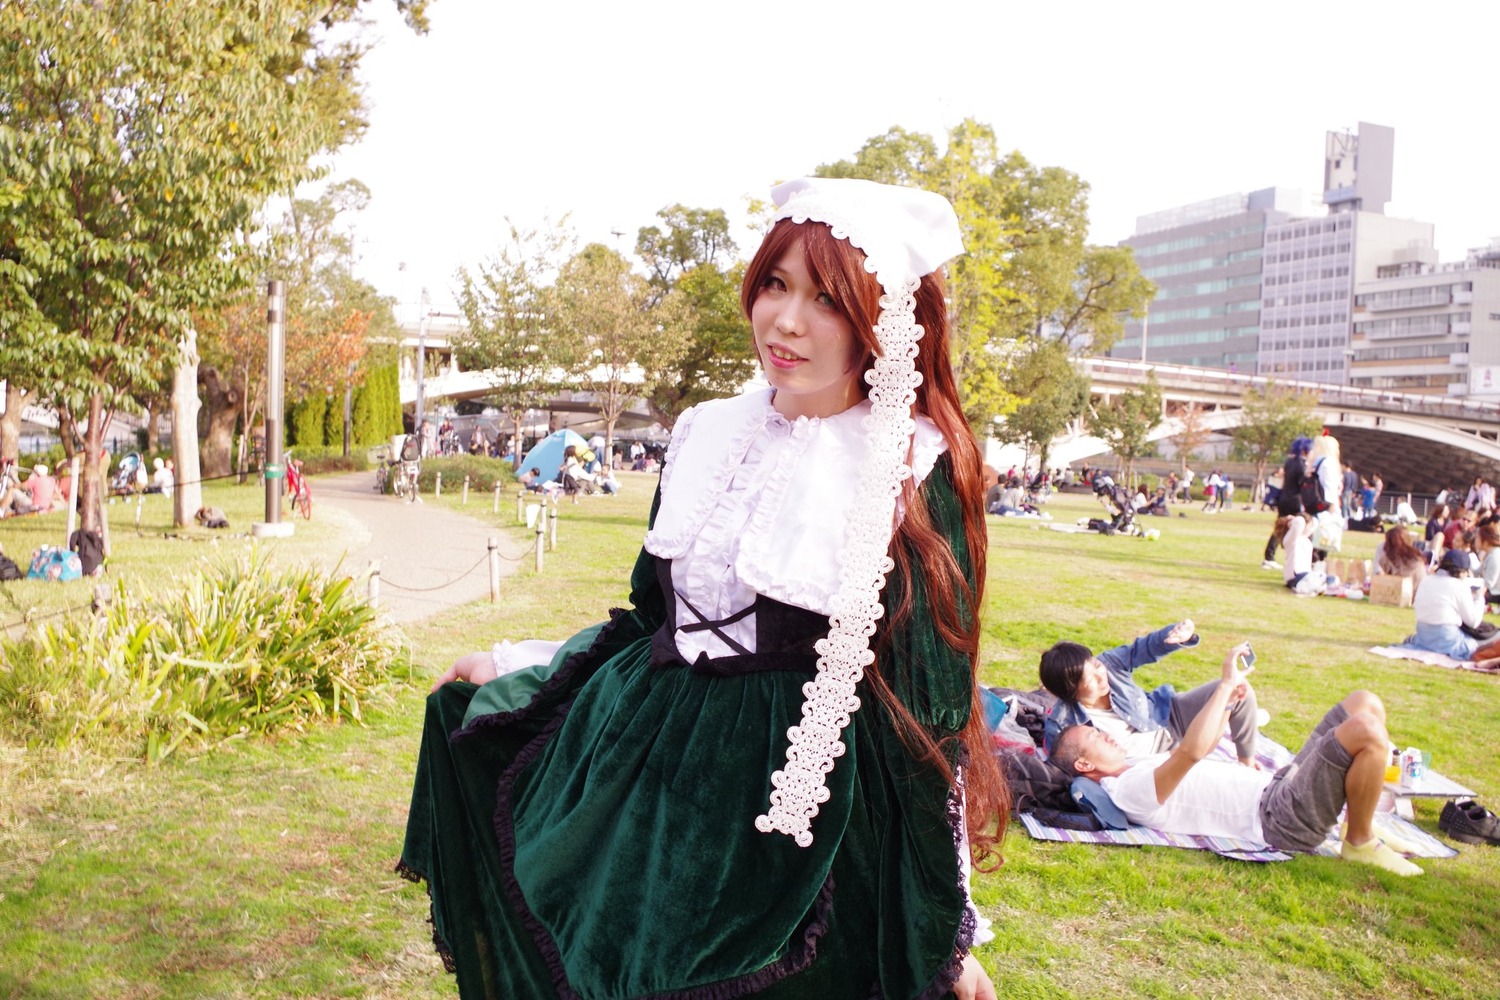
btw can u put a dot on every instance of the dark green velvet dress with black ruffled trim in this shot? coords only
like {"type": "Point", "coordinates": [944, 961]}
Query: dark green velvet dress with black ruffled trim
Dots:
{"type": "Point", "coordinates": [586, 828]}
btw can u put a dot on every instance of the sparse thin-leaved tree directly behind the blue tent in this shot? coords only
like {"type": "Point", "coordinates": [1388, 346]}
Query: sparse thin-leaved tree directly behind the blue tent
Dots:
{"type": "Point", "coordinates": [511, 310]}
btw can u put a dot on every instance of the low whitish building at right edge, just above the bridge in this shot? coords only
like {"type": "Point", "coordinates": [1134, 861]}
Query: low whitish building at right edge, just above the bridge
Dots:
{"type": "Point", "coordinates": [1427, 328]}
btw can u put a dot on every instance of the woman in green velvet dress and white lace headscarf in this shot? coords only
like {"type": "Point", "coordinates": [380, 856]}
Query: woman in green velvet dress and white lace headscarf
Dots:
{"type": "Point", "coordinates": [769, 776]}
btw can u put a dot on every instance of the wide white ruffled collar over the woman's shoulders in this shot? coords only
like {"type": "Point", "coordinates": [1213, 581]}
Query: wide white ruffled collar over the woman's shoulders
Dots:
{"type": "Point", "coordinates": [791, 543]}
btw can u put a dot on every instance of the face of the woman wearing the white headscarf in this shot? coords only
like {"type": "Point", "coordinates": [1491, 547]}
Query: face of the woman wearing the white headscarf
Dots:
{"type": "Point", "coordinates": [806, 346]}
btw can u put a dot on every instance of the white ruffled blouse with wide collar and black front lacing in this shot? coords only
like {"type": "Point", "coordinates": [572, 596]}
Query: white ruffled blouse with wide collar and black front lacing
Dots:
{"type": "Point", "coordinates": [754, 503]}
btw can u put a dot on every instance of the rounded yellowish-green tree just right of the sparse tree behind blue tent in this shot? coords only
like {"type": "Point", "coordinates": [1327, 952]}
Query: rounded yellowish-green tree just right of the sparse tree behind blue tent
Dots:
{"type": "Point", "coordinates": [610, 334]}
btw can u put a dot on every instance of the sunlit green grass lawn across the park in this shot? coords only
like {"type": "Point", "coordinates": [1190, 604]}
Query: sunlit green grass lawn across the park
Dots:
{"type": "Point", "coordinates": [266, 872]}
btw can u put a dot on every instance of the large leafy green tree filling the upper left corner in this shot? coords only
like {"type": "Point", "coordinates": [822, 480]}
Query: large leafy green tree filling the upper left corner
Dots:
{"type": "Point", "coordinates": [139, 140]}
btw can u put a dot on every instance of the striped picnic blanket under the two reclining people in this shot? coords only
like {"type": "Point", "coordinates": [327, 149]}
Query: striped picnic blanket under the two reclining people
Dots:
{"type": "Point", "coordinates": [1271, 756]}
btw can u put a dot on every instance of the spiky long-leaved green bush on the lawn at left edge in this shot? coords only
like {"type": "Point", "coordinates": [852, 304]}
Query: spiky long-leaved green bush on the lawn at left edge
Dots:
{"type": "Point", "coordinates": [238, 650]}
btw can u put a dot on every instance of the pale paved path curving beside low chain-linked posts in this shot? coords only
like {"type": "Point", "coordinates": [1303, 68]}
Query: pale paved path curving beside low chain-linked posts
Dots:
{"type": "Point", "coordinates": [431, 558]}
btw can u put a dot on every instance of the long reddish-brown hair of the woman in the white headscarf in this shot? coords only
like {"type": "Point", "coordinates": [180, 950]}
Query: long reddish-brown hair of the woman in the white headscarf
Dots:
{"type": "Point", "coordinates": [839, 271]}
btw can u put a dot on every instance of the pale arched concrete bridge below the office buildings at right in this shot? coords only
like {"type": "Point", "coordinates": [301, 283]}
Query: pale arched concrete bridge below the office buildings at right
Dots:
{"type": "Point", "coordinates": [1417, 443]}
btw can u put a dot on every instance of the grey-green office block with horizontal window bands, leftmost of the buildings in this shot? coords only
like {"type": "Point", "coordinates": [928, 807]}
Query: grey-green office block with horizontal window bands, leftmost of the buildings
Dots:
{"type": "Point", "coordinates": [1207, 263]}
